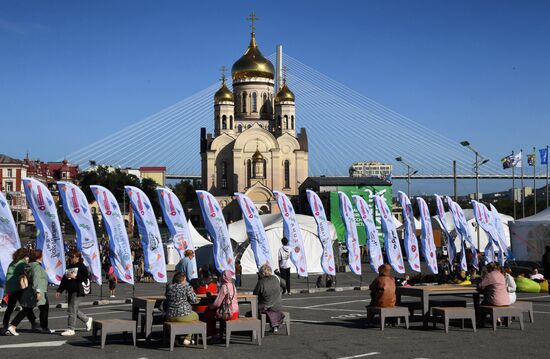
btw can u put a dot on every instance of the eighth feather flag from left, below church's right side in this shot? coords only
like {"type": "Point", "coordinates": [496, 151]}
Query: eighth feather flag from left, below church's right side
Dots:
{"type": "Point", "coordinates": [256, 231]}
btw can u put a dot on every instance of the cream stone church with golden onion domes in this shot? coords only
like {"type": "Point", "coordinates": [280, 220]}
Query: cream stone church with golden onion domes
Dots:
{"type": "Point", "coordinates": [255, 147]}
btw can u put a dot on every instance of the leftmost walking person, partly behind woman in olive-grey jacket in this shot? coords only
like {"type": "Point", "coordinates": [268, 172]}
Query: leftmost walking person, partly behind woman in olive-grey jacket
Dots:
{"type": "Point", "coordinates": [14, 274]}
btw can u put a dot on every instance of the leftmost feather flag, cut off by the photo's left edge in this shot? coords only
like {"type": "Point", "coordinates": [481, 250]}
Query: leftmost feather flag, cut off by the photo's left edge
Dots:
{"type": "Point", "coordinates": [9, 237]}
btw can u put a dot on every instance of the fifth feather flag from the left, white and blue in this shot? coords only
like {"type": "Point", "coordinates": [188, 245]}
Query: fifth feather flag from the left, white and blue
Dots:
{"type": "Point", "coordinates": [151, 242]}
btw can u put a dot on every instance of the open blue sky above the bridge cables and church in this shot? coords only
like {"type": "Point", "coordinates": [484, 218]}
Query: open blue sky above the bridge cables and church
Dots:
{"type": "Point", "coordinates": [477, 70]}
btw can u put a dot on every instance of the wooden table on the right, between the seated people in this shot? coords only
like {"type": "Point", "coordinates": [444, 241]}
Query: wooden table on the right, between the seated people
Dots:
{"type": "Point", "coordinates": [424, 293]}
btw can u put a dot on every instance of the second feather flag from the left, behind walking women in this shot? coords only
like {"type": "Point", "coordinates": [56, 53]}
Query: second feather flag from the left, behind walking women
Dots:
{"type": "Point", "coordinates": [49, 238]}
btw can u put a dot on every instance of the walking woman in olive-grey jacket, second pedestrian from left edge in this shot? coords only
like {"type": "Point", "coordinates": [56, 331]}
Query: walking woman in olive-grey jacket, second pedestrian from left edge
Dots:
{"type": "Point", "coordinates": [36, 294]}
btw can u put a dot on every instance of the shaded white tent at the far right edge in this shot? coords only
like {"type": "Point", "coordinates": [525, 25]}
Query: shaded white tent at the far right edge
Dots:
{"type": "Point", "coordinates": [530, 235]}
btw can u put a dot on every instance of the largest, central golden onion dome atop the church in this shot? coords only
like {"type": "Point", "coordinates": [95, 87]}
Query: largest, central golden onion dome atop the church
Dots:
{"type": "Point", "coordinates": [252, 64]}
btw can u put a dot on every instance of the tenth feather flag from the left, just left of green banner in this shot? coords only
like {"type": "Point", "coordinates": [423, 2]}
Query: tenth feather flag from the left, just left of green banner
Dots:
{"type": "Point", "coordinates": [323, 232]}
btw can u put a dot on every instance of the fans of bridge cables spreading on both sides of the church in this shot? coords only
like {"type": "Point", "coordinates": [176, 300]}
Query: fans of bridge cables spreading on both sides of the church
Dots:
{"type": "Point", "coordinates": [343, 127]}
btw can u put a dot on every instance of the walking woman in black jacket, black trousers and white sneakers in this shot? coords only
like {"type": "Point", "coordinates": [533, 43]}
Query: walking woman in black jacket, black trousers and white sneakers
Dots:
{"type": "Point", "coordinates": [74, 281]}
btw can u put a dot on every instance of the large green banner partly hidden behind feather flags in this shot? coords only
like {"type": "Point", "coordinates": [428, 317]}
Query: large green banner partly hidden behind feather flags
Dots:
{"type": "Point", "coordinates": [365, 192]}
